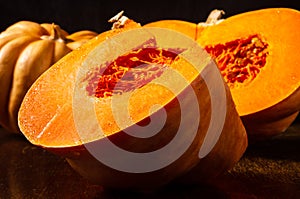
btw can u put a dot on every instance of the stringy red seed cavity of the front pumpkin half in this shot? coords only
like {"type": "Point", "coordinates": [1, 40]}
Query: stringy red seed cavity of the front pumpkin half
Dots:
{"type": "Point", "coordinates": [130, 71]}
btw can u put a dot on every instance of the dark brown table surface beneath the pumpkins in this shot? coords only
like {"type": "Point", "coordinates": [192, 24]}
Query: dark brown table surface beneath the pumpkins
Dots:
{"type": "Point", "coordinates": [269, 169]}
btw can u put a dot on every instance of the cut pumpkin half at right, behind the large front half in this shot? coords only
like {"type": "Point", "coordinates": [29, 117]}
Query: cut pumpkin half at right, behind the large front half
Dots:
{"type": "Point", "coordinates": [270, 101]}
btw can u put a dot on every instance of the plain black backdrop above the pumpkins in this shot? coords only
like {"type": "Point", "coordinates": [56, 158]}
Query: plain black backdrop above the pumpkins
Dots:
{"type": "Point", "coordinates": [74, 15]}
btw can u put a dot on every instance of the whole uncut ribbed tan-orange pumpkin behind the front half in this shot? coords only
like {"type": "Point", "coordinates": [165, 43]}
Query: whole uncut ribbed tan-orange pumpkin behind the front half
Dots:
{"type": "Point", "coordinates": [27, 49]}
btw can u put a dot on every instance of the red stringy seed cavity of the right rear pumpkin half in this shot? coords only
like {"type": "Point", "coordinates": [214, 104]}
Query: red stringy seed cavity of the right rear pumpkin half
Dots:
{"type": "Point", "coordinates": [240, 60]}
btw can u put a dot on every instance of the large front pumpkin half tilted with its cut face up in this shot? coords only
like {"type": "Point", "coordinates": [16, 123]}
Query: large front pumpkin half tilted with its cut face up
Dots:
{"type": "Point", "coordinates": [134, 108]}
